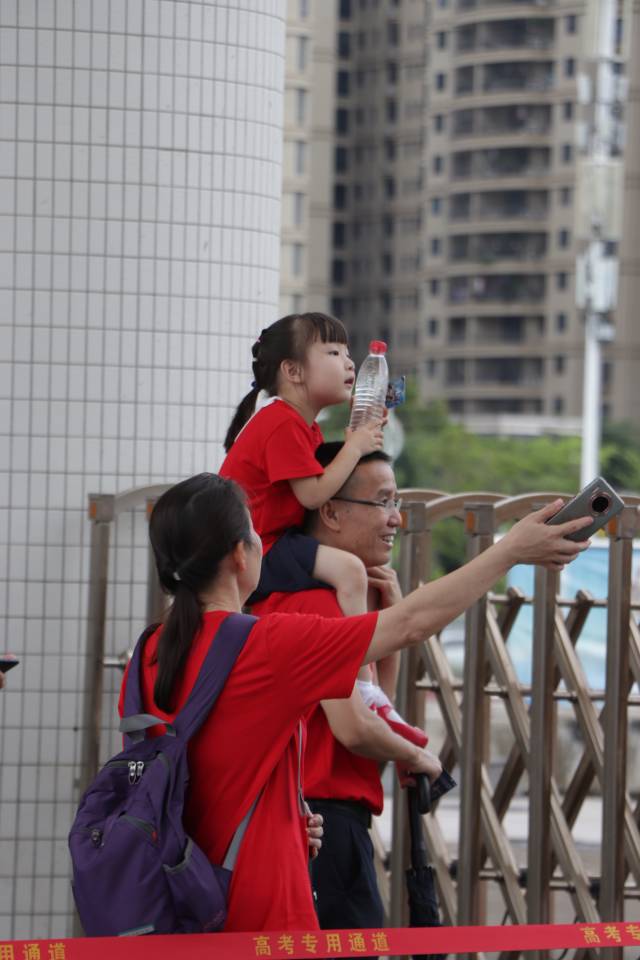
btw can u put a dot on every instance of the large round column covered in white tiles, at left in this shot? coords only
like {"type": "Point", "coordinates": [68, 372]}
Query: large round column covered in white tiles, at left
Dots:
{"type": "Point", "coordinates": [140, 173]}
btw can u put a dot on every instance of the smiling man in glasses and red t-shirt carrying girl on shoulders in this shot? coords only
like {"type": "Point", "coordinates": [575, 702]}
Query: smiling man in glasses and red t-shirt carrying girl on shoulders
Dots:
{"type": "Point", "coordinates": [346, 741]}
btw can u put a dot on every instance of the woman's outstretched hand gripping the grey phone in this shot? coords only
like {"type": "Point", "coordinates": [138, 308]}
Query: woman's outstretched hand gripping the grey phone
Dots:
{"type": "Point", "coordinates": [532, 540]}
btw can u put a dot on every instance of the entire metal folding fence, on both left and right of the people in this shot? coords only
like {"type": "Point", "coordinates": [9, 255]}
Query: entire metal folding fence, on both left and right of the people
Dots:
{"type": "Point", "coordinates": [524, 880]}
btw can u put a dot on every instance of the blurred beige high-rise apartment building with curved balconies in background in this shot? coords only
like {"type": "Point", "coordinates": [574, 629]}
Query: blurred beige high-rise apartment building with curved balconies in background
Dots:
{"type": "Point", "coordinates": [451, 174]}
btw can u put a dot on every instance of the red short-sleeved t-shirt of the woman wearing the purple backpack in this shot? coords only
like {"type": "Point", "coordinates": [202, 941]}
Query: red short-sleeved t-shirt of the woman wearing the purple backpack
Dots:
{"type": "Point", "coordinates": [249, 740]}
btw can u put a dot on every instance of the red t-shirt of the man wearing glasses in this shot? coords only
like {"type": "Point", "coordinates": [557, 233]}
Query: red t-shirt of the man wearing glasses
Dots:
{"type": "Point", "coordinates": [331, 772]}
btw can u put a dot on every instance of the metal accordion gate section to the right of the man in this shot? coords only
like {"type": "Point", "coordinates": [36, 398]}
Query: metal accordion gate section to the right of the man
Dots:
{"type": "Point", "coordinates": [485, 852]}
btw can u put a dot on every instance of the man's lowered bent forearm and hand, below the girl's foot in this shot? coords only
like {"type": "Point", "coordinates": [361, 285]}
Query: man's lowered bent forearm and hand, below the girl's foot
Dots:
{"type": "Point", "coordinates": [362, 731]}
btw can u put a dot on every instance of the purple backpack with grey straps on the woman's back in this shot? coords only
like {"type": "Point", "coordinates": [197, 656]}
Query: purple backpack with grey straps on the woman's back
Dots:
{"type": "Point", "coordinates": [135, 870]}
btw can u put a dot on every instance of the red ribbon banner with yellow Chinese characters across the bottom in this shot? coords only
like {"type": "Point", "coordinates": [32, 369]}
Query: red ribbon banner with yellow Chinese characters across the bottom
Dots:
{"type": "Point", "coordinates": [297, 945]}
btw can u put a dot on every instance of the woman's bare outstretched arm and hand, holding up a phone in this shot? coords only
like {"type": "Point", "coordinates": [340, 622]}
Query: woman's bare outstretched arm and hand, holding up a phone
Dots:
{"type": "Point", "coordinates": [431, 607]}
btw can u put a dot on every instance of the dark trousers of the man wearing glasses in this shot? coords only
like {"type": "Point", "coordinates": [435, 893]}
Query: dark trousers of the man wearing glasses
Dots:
{"type": "Point", "coordinates": [343, 874]}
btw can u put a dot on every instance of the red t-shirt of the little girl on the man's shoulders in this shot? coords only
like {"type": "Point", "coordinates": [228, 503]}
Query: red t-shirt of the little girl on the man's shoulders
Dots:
{"type": "Point", "coordinates": [275, 446]}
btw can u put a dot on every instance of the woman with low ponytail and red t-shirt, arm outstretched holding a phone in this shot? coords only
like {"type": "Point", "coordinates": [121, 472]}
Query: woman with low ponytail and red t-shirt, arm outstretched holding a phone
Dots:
{"type": "Point", "coordinates": [208, 558]}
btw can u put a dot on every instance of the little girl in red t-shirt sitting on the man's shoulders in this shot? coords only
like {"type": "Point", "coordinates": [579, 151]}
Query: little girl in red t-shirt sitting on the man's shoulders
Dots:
{"type": "Point", "coordinates": [301, 363]}
